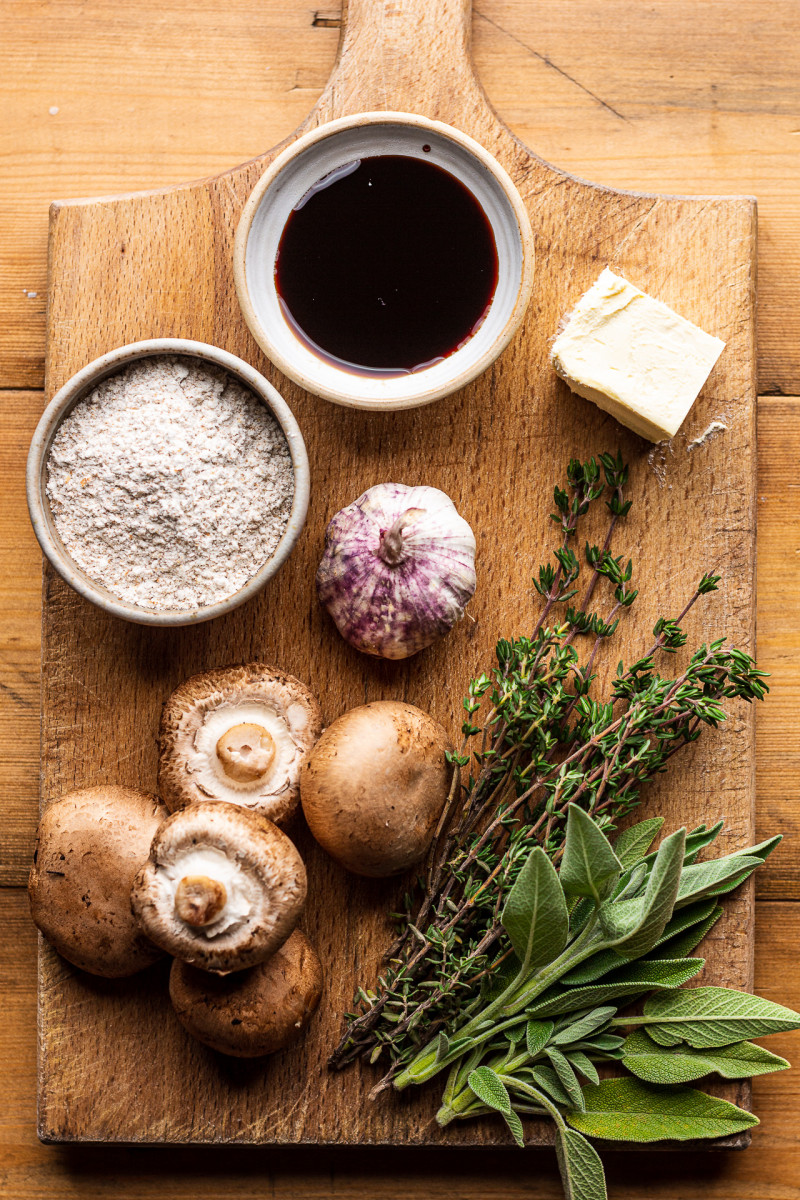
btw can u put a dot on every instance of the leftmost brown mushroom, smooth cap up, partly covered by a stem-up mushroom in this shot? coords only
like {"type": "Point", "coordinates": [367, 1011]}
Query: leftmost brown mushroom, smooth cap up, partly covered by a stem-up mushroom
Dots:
{"type": "Point", "coordinates": [89, 847]}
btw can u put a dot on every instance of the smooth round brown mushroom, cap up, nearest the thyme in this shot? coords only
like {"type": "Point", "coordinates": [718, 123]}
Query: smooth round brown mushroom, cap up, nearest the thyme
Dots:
{"type": "Point", "coordinates": [375, 785]}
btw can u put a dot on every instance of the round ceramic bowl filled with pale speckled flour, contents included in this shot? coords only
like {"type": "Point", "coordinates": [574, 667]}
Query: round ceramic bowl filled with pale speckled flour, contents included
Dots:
{"type": "Point", "coordinates": [167, 482]}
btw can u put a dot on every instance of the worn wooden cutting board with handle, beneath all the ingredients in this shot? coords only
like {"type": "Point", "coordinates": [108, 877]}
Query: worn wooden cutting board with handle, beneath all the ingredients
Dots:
{"type": "Point", "coordinates": [115, 1064]}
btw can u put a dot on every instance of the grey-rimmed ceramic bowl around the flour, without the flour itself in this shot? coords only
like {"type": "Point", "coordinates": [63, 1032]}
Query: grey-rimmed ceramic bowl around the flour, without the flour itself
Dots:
{"type": "Point", "coordinates": [73, 393]}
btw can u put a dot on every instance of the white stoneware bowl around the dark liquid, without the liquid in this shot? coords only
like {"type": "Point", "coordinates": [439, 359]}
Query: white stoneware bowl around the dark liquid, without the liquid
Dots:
{"type": "Point", "coordinates": [328, 148]}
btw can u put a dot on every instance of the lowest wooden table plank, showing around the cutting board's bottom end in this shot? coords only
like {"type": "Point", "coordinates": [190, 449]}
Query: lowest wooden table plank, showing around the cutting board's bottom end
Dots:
{"type": "Point", "coordinates": [769, 1171]}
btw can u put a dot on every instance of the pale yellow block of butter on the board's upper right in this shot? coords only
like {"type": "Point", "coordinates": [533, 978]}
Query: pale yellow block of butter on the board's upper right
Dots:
{"type": "Point", "coordinates": [634, 357]}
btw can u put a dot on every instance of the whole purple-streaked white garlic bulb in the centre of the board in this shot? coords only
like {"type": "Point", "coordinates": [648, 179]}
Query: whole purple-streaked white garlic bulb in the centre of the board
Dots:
{"type": "Point", "coordinates": [399, 569]}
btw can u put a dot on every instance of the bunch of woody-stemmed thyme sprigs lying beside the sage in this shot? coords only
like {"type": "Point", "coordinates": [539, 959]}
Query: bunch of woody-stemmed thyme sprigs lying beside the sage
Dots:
{"type": "Point", "coordinates": [536, 741]}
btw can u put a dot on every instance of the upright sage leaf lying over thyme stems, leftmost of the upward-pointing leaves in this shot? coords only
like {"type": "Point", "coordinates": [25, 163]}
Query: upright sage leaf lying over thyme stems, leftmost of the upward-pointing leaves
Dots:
{"type": "Point", "coordinates": [536, 915]}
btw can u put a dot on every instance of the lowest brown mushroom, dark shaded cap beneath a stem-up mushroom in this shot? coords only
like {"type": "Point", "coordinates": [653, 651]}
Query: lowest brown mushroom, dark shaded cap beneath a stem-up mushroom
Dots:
{"type": "Point", "coordinates": [252, 1012]}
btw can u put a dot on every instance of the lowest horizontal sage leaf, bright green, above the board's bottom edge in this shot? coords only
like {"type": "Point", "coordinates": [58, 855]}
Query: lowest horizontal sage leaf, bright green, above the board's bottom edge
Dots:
{"type": "Point", "coordinates": [630, 1111]}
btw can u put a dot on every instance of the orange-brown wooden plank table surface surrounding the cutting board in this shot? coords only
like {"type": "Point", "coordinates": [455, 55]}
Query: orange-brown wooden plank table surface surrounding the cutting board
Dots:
{"type": "Point", "coordinates": [681, 97]}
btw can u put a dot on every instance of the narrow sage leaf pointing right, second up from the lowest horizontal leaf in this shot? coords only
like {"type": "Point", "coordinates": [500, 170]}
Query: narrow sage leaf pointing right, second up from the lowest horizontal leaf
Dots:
{"type": "Point", "coordinates": [682, 1065]}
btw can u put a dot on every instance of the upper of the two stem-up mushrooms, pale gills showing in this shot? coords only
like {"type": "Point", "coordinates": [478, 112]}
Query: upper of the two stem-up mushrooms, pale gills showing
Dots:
{"type": "Point", "coordinates": [206, 709]}
